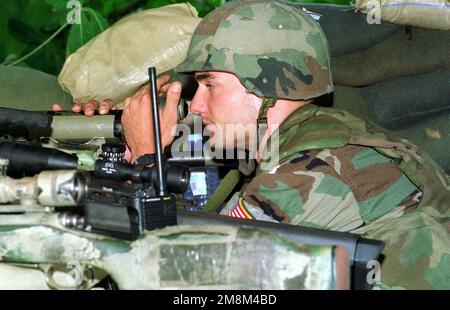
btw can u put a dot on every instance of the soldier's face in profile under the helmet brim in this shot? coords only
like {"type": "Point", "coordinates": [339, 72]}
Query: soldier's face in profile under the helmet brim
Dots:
{"type": "Point", "coordinates": [229, 112]}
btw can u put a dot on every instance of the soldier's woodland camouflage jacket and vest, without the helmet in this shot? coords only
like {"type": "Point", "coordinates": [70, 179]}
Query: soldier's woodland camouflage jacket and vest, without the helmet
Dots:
{"type": "Point", "coordinates": [336, 171]}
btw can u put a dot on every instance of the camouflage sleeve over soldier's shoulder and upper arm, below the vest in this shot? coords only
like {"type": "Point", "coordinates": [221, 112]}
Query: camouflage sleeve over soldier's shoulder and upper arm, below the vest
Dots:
{"type": "Point", "coordinates": [337, 188]}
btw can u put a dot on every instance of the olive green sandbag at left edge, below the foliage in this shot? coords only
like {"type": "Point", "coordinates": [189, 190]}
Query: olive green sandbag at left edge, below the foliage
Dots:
{"type": "Point", "coordinates": [29, 89]}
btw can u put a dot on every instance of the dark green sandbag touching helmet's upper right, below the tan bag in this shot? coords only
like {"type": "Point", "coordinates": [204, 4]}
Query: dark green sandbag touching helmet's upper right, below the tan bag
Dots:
{"type": "Point", "coordinates": [348, 31]}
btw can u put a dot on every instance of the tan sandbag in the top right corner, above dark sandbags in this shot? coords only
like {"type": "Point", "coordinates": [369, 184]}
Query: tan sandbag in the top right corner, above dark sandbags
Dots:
{"type": "Point", "coordinates": [432, 14]}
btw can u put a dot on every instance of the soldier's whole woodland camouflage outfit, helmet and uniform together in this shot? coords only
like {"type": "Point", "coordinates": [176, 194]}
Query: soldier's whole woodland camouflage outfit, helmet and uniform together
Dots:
{"type": "Point", "coordinates": [333, 170]}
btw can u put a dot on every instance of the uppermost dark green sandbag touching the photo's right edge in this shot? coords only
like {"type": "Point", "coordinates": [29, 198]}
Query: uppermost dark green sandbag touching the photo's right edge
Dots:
{"type": "Point", "coordinates": [404, 53]}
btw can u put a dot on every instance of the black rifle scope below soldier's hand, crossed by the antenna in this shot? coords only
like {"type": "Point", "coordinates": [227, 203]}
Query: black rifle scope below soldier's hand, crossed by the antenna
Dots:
{"type": "Point", "coordinates": [177, 176]}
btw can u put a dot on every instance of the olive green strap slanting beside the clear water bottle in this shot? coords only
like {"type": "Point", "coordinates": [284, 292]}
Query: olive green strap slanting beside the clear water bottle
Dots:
{"type": "Point", "coordinates": [222, 191]}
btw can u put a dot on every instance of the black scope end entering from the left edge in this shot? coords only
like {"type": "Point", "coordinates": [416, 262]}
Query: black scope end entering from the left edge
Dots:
{"type": "Point", "coordinates": [29, 160]}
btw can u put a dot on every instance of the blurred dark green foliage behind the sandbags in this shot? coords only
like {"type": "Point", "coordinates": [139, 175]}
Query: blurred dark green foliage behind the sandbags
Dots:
{"type": "Point", "coordinates": [35, 33]}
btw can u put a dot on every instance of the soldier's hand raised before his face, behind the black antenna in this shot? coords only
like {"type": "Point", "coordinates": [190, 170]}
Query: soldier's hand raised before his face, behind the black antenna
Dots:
{"type": "Point", "coordinates": [137, 119]}
